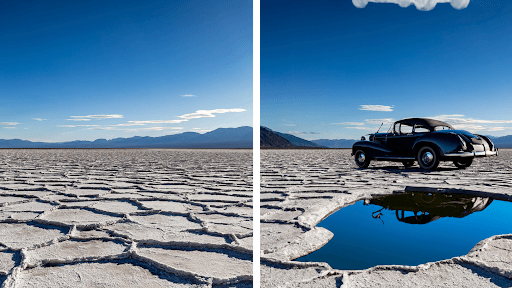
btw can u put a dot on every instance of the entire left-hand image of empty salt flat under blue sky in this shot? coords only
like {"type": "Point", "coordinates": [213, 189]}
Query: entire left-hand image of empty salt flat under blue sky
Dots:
{"type": "Point", "coordinates": [126, 144]}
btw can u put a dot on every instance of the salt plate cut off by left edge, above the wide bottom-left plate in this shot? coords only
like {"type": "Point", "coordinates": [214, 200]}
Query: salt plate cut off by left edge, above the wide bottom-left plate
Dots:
{"type": "Point", "coordinates": [32, 234]}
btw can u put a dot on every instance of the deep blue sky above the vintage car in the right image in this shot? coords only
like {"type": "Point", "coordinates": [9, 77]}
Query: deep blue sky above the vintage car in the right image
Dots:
{"type": "Point", "coordinates": [331, 70]}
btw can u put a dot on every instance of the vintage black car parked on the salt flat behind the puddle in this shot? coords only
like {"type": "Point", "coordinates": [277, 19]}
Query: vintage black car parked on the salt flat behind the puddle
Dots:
{"type": "Point", "coordinates": [427, 141]}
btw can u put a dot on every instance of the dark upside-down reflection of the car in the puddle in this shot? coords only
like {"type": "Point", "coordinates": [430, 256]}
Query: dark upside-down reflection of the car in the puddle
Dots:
{"type": "Point", "coordinates": [427, 207]}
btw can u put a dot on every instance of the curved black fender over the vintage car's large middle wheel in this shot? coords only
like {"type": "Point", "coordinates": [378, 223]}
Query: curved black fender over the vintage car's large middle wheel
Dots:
{"type": "Point", "coordinates": [444, 143]}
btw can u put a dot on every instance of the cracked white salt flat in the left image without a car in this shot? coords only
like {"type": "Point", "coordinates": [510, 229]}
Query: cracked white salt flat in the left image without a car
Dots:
{"type": "Point", "coordinates": [126, 218]}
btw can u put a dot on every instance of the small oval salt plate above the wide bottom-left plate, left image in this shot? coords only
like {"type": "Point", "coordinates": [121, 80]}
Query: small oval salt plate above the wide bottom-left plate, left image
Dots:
{"type": "Point", "coordinates": [84, 218]}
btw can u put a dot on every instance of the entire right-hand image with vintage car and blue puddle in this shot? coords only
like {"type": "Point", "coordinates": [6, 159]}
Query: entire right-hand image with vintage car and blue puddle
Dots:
{"type": "Point", "coordinates": [386, 143]}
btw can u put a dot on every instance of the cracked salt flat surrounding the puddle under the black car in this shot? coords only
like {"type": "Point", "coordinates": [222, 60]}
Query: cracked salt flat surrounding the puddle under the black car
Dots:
{"type": "Point", "coordinates": [299, 188]}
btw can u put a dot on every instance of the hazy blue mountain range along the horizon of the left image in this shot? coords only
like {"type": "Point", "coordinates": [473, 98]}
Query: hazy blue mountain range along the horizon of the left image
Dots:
{"type": "Point", "coordinates": [241, 137]}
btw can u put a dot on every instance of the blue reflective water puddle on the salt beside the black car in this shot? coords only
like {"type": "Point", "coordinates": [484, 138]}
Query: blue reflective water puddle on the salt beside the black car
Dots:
{"type": "Point", "coordinates": [410, 229]}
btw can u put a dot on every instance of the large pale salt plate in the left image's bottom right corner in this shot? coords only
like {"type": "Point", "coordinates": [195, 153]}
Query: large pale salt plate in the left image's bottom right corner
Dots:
{"type": "Point", "coordinates": [205, 264]}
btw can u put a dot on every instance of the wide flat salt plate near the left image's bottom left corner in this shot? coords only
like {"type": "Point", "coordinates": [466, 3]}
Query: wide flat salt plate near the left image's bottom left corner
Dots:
{"type": "Point", "coordinates": [76, 251]}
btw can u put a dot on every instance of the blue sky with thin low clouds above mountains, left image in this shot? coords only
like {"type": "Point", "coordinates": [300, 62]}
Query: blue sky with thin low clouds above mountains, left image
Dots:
{"type": "Point", "coordinates": [83, 70]}
